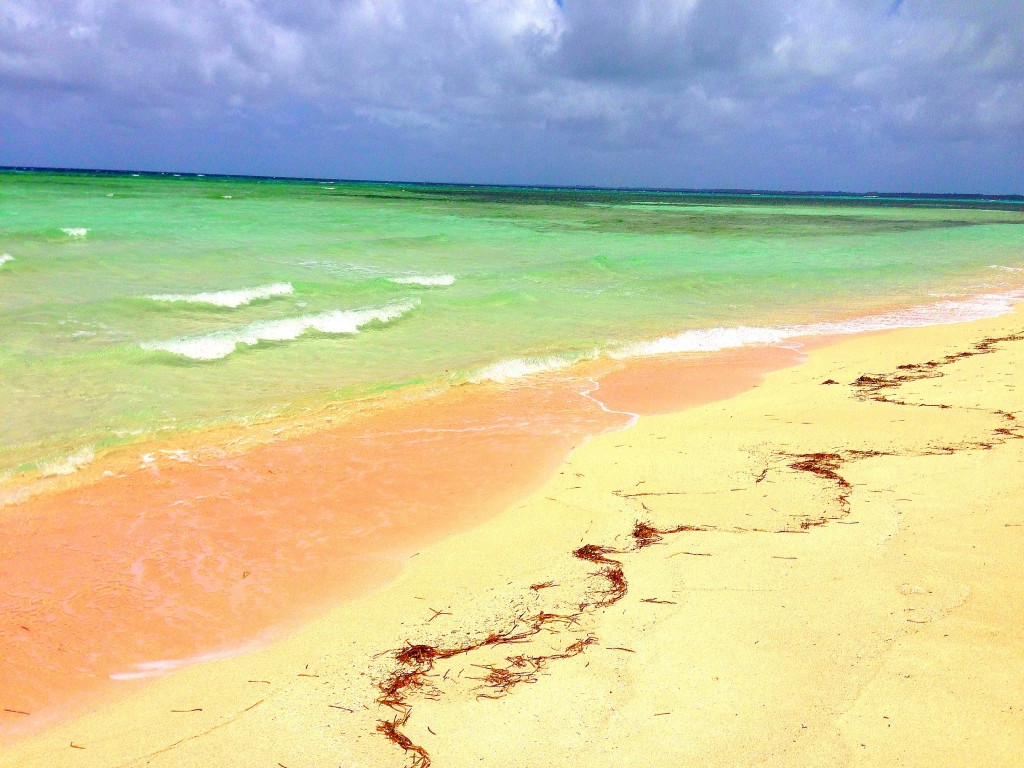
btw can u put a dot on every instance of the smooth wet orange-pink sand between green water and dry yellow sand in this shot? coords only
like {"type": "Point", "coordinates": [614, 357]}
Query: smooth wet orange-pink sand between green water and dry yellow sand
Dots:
{"type": "Point", "coordinates": [183, 560]}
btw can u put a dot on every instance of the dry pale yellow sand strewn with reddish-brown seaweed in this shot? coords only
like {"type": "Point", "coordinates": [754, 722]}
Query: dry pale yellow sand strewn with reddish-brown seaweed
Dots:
{"type": "Point", "coordinates": [828, 575]}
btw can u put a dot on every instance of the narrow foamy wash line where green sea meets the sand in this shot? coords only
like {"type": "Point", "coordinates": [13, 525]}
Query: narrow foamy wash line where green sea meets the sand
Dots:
{"type": "Point", "coordinates": [309, 417]}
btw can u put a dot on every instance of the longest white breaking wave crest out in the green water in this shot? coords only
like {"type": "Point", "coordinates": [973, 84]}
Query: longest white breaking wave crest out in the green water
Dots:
{"type": "Point", "coordinates": [222, 344]}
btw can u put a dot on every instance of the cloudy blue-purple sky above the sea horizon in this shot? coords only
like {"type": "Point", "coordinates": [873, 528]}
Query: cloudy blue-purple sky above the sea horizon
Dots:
{"type": "Point", "coordinates": [861, 96]}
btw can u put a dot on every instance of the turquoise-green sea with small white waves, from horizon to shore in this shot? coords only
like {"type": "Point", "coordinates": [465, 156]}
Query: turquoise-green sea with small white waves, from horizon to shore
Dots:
{"type": "Point", "coordinates": [133, 305]}
